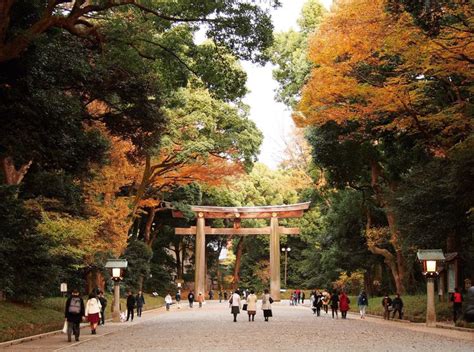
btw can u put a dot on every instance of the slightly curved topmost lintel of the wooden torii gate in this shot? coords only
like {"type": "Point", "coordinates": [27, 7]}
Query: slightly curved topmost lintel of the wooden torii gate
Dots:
{"type": "Point", "coordinates": [258, 212]}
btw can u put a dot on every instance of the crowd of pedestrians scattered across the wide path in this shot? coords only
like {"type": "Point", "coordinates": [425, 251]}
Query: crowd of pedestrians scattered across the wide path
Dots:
{"type": "Point", "coordinates": [93, 310]}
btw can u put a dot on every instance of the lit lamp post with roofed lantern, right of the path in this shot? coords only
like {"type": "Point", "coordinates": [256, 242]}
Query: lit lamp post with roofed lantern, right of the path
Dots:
{"type": "Point", "coordinates": [430, 258]}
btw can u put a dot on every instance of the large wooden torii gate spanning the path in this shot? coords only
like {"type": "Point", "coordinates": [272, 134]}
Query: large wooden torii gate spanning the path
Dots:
{"type": "Point", "coordinates": [237, 213]}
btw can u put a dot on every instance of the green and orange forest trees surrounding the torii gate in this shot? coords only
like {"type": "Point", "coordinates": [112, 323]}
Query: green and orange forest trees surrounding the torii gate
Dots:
{"type": "Point", "coordinates": [111, 112]}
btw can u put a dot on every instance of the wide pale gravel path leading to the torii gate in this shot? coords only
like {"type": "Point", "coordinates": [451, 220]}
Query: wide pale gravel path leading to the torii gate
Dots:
{"type": "Point", "coordinates": [292, 329]}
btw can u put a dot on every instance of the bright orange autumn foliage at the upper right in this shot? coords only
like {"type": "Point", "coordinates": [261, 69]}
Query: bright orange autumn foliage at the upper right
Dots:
{"type": "Point", "coordinates": [370, 64]}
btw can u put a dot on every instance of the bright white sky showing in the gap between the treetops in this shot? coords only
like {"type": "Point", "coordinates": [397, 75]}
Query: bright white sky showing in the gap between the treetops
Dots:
{"type": "Point", "coordinates": [271, 117]}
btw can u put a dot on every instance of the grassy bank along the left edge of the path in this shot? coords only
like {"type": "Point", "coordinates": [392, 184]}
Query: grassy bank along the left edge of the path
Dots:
{"type": "Point", "coordinates": [22, 320]}
